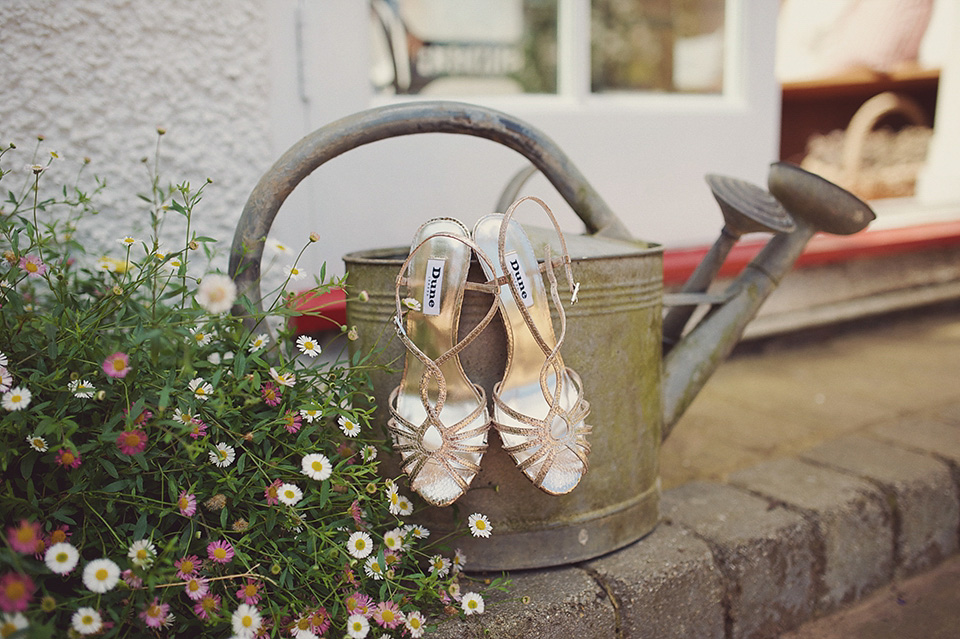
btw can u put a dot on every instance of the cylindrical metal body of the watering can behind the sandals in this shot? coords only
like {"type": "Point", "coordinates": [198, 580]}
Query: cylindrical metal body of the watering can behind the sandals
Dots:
{"type": "Point", "coordinates": [613, 343]}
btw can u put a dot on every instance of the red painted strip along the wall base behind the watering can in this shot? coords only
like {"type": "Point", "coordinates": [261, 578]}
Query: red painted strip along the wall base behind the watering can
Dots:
{"type": "Point", "coordinates": [329, 311]}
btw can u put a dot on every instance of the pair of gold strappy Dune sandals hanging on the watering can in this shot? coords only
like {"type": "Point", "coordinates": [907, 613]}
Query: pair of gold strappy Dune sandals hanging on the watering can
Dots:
{"type": "Point", "coordinates": [439, 418]}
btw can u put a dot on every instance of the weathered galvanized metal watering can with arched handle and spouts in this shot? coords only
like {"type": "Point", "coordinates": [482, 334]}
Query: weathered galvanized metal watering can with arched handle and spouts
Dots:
{"type": "Point", "coordinates": [640, 369]}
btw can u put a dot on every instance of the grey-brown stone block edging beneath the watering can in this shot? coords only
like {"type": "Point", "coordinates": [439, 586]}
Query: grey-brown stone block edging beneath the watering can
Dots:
{"type": "Point", "coordinates": [777, 545]}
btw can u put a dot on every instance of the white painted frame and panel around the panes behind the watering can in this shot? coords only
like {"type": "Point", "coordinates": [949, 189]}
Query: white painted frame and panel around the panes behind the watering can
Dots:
{"type": "Point", "coordinates": [646, 154]}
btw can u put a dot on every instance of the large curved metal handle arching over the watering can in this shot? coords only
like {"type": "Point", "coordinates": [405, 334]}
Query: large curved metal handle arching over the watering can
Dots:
{"type": "Point", "coordinates": [397, 120]}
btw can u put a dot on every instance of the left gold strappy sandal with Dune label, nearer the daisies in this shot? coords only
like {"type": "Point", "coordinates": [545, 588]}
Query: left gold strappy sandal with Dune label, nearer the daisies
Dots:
{"type": "Point", "coordinates": [439, 418]}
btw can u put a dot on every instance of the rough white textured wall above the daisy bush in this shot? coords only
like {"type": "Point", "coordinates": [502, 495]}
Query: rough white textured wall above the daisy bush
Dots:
{"type": "Point", "coordinates": [98, 77]}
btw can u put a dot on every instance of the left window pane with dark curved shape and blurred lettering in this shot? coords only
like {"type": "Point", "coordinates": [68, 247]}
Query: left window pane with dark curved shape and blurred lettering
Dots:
{"type": "Point", "coordinates": [464, 47]}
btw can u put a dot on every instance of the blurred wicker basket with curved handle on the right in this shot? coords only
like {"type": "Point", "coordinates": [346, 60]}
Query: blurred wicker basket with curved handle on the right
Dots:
{"type": "Point", "coordinates": [873, 163]}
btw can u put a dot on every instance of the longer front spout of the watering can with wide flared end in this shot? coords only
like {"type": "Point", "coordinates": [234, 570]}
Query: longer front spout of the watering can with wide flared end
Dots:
{"type": "Point", "coordinates": [815, 205]}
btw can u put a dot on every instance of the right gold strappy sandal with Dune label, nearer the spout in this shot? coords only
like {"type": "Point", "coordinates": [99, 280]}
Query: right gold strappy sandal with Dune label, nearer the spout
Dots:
{"type": "Point", "coordinates": [539, 409]}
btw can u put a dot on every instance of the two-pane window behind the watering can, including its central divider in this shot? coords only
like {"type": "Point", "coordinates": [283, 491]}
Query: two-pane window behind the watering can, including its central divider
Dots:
{"type": "Point", "coordinates": [490, 47]}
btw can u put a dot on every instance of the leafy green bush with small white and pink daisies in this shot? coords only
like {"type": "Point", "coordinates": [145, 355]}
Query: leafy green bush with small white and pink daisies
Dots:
{"type": "Point", "coordinates": [136, 408]}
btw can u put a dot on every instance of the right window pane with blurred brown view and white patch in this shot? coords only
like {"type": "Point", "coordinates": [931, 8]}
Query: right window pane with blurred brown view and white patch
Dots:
{"type": "Point", "coordinates": [657, 45]}
